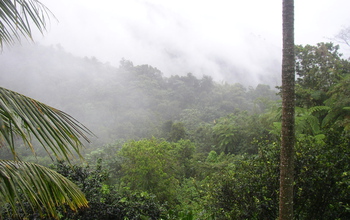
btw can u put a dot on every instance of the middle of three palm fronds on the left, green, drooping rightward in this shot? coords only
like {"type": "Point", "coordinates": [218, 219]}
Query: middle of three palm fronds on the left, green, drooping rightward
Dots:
{"type": "Point", "coordinates": [24, 117]}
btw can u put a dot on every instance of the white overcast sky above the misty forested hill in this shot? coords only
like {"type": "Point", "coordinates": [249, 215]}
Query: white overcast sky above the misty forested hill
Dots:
{"type": "Point", "coordinates": [226, 39]}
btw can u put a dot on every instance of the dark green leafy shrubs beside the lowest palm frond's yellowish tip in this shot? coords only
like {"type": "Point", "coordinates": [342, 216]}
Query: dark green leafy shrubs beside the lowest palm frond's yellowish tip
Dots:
{"type": "Point", "coordinates": [108, 202]}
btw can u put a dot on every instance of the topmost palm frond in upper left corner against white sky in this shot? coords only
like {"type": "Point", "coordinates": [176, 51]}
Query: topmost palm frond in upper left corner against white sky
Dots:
{"type": "Point", "coordinates": [16, 17]}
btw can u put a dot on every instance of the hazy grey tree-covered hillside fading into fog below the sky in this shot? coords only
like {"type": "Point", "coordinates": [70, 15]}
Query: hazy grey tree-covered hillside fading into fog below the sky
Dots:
{"type": "Point", "coordinates": [129, 101]}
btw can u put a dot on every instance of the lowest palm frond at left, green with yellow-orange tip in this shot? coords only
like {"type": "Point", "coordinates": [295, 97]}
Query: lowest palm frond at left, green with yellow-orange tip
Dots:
{"type": "Point", "coordinates": [42, 188]}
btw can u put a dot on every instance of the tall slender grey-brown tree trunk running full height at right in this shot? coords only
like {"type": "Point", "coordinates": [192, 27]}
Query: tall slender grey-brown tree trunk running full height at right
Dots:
{"type": "Point", "coordinates": [288, 107]}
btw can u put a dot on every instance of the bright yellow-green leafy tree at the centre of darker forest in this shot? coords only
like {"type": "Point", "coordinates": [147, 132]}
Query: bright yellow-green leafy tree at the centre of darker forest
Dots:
{"type": "Point", "coordinates": [150, 166]}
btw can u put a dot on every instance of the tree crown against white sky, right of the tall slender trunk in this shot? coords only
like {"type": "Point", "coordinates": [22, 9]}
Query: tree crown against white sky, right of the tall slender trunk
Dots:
{"type": "Point", "coordinates": [318, 69]}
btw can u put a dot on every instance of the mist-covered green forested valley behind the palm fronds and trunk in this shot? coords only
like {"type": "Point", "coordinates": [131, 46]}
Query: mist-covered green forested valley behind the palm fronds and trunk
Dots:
{"type": "Point", "coordinates": [189, 147]}
